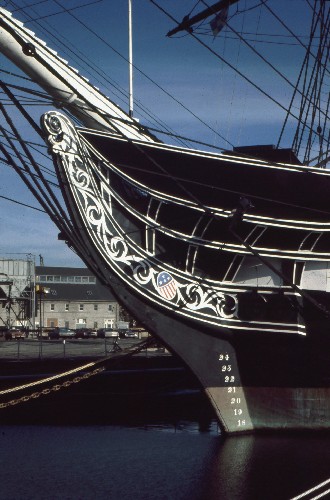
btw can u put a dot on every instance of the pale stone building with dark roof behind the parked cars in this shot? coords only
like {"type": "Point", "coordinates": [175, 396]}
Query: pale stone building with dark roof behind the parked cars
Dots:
{"type": "Point", "coordinates": [73, 298]}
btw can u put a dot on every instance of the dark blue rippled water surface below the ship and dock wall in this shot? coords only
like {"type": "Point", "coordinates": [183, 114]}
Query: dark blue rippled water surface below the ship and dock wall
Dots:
{"type": "Point", "coordinates": [157, 462]}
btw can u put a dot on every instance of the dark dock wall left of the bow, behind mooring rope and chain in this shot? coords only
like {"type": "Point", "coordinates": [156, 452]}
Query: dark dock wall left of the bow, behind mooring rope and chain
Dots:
{"type": "Point", "coordinates": [149, 386]}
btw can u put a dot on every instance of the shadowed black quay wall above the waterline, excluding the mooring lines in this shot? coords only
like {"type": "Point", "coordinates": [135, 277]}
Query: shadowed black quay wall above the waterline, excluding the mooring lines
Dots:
{"type": "Point", "coordinates": [154, 389]}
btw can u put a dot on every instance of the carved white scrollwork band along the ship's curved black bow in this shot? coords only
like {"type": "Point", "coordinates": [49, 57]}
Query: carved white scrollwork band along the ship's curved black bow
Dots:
{"type": "Point", "coordinates": [79, 171]}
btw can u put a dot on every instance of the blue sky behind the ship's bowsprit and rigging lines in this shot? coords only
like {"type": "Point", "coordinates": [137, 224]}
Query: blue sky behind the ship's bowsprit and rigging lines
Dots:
{"type": "Point", "coordinates": [175, 79]}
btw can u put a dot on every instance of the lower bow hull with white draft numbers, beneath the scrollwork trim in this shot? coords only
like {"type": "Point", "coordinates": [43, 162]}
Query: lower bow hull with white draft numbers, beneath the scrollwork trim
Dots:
{"type": "Point", "coordinates": [265, 389]}
